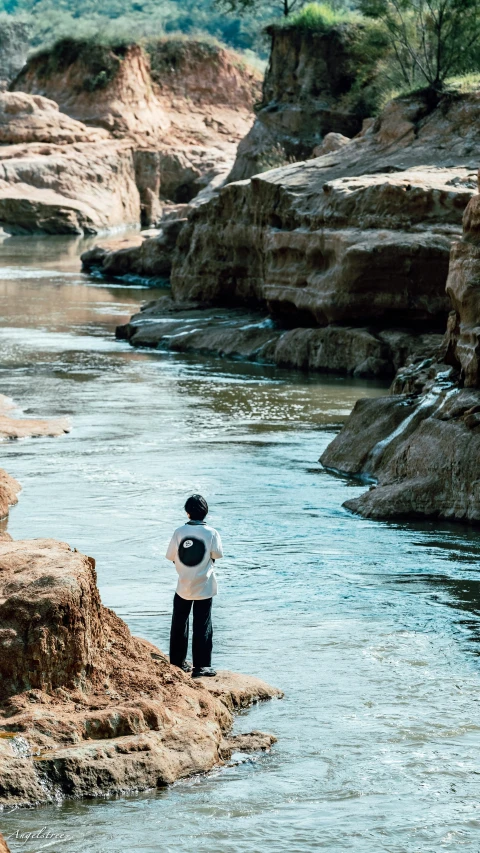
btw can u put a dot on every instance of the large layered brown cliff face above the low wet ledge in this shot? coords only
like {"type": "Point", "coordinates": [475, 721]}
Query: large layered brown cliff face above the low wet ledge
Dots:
{"type": "Point", "coordinates": [374, 247]}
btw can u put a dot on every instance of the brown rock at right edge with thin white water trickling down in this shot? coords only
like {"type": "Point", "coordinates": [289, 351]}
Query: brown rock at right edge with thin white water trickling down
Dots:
{"type": "Point", "coordinates": [420, 446]}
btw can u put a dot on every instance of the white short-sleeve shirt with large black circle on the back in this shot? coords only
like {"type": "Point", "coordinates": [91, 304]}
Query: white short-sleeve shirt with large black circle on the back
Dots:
{"type": "Point", "coordinates": [193, 548]}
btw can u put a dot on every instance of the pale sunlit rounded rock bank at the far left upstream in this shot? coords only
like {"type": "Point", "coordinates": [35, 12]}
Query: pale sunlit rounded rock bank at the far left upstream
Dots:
{"type": "Point", "coordinates": [57, 175]}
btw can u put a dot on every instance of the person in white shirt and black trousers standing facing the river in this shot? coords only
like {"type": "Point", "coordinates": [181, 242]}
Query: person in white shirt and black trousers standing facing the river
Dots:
{"type": "Point", "coordinates": [194, 548]}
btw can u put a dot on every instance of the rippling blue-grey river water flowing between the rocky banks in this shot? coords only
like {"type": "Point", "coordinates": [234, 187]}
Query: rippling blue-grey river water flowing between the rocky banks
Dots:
{"type": "Point", "coordinates": [372, 629]}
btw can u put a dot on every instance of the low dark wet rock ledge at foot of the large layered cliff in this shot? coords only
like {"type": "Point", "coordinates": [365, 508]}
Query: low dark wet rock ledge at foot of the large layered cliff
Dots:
{"type": "Point", "coordinates": [236, 333]}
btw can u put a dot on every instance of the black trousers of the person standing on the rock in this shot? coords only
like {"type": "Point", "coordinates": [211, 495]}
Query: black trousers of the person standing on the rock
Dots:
{"type": "Point", "coordinates": [202, 631]}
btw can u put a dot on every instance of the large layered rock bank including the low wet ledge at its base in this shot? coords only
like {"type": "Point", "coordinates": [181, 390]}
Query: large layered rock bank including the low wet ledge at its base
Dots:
{"type": "Point", "coordinates": [348, 253]}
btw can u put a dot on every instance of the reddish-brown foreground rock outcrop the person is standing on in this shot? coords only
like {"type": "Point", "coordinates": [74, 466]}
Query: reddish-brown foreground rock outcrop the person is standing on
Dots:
{"type": "Point", "coordinates": [85, 708]}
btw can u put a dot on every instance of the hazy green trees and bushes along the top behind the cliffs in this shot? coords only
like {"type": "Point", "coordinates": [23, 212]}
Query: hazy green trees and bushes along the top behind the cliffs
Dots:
{"type": "Point", "coordinates": [396, 46]}
